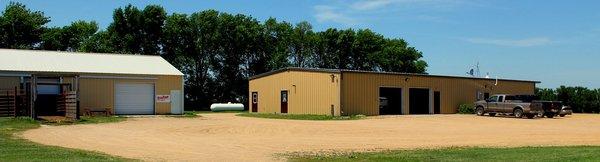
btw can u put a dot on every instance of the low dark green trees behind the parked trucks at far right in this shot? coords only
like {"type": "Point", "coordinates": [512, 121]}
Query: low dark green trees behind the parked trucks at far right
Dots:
{"type": "Point", "coordinates": [581, 99]}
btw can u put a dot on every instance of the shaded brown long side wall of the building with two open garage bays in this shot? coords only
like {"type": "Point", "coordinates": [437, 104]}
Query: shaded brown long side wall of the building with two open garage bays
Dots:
{"type": "Point", "coordinates": [360, 91]}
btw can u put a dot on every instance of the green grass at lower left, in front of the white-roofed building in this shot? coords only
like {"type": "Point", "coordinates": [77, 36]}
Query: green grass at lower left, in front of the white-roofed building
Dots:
{"type": "Point", "coordinates": [15, 149]}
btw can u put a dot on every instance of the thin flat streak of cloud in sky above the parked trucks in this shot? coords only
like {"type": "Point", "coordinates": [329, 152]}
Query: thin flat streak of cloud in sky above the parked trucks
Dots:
{"type": "Point", "coordinates": [527, 42]}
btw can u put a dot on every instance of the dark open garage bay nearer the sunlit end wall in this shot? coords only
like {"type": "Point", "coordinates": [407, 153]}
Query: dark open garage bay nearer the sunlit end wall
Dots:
{"type": "Point", "coordinates": [390, 101]}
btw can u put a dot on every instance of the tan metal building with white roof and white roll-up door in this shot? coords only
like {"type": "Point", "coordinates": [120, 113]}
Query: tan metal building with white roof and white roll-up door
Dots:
{"type": "Point", "coordinates": [124, 84]}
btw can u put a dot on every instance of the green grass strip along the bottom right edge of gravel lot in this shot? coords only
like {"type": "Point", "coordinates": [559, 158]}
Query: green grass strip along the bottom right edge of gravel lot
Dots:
{"type": "Point", "coordinates": [566, 153]}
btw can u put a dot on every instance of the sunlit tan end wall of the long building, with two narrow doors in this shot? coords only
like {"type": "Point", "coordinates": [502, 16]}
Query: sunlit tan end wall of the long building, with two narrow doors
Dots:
{"type": "Point", "coordinates": [309, 92]}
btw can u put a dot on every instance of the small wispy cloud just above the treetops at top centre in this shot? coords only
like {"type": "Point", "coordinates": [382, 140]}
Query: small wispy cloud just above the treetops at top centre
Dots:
{"type": "Point", "coordinates": [325, 13]}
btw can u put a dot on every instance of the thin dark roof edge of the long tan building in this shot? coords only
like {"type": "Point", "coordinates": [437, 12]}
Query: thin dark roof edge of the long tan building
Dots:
{"type": "Point", "coordinates": [374, 72]}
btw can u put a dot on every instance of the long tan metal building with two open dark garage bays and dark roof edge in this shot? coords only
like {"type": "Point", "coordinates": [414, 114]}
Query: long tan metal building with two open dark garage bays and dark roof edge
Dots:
{"type": "Point", "coordinates": [350, 92]}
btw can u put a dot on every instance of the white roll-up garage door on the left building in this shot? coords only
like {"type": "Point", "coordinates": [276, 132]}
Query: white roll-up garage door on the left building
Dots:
{"type": "Point", "coordinates": [134, 98]}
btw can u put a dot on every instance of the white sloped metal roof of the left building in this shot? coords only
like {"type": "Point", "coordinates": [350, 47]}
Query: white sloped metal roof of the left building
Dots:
{"type": "Point", "coordinates": [12, 60]}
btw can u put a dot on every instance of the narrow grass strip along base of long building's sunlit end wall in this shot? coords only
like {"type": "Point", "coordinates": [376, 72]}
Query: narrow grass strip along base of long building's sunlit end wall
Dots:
{"type": "Point", "coordinates": [301, 116]}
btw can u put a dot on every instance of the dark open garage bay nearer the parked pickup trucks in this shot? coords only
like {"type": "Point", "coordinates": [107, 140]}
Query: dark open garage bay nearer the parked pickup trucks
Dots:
{"type": "Point", "coordinates": [418, 100]}
